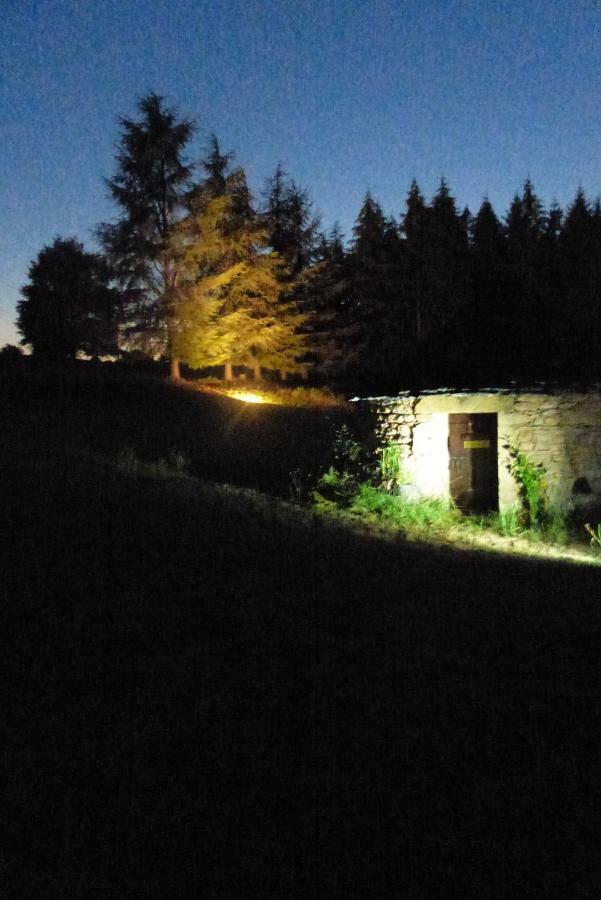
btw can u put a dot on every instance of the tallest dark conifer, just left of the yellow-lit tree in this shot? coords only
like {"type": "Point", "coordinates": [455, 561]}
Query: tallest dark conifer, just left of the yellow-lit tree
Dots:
{"type": "Point", "coordinates": [150, 188]}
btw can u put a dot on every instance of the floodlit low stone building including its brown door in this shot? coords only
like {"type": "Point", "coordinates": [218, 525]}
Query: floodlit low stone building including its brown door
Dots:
{"type": "Point", "coordinates": [457, 444]}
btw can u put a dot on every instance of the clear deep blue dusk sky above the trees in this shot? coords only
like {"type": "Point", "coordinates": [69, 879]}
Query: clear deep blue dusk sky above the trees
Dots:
{"type": "Point", "coordinates": [349, 95]}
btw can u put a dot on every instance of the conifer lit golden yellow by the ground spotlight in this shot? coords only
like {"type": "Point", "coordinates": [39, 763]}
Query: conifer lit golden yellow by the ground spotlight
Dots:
{"type": "Point", "coordinates": [228, 309]}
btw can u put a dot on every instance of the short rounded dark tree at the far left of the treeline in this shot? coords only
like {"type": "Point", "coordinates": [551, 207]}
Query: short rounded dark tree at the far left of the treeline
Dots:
{"type": "Point", "coordinates": [68, 304]}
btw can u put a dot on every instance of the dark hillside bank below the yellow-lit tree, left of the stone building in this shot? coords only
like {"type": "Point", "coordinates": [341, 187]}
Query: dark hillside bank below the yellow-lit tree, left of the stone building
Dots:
{"type": "Point", "coordinates": [104, 410]}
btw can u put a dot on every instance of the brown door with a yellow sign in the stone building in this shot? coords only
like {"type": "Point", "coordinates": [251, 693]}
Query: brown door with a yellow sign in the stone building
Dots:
{"type": "Point", "coordinates": [473, 464]}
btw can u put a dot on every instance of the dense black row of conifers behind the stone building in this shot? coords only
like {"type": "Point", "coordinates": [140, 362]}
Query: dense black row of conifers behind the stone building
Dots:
{"type": "Point", "coordinates": [443, 297]}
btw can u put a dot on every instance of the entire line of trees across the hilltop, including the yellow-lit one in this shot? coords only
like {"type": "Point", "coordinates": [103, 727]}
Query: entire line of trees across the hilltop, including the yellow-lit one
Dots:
{"type": "Point", "coordinates": [195, 270]}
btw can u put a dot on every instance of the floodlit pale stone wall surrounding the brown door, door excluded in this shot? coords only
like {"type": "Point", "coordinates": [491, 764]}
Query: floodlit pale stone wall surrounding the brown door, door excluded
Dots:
{"type": "Point", "coordinates": [561, 430]}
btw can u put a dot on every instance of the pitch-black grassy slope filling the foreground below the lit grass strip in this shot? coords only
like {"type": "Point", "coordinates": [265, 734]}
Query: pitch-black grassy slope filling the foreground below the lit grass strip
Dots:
{"type": "Point", "coordinates": [210, 695]}
